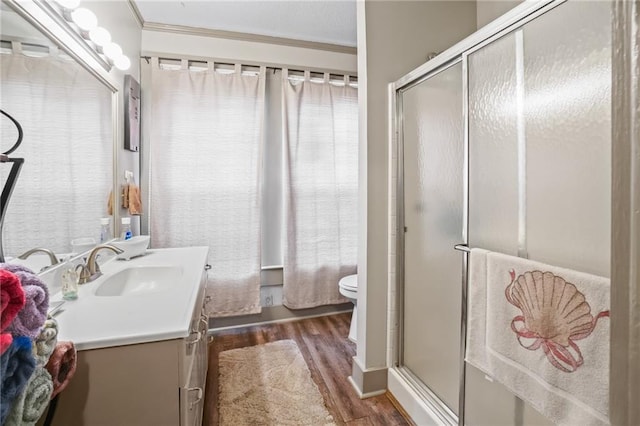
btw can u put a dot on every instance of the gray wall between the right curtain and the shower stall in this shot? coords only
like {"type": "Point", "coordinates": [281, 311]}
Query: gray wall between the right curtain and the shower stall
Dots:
{"type": "Point", "coordinates": [394, 37]}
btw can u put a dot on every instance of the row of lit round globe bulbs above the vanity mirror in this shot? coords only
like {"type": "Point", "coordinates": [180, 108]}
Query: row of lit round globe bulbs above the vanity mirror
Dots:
{"type": "Point", "coordinates": [97, 38]}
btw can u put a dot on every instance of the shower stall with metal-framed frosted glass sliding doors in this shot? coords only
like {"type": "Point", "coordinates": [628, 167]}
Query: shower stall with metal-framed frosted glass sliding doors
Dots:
{"type": "Point", "coordinates": [502, 142]}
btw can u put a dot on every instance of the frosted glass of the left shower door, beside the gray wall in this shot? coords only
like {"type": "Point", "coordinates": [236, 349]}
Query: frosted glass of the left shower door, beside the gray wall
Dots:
{"type": "Point", "coordinates": [433, 164]}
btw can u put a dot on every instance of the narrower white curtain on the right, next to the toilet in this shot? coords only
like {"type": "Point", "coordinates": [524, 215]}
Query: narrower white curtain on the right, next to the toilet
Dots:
{"type": "Point", "coordinates": [320, 189]}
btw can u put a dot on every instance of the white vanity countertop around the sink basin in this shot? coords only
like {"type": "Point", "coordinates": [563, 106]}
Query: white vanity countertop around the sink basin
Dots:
{"type": "Point", "coordinates": [93, 321]}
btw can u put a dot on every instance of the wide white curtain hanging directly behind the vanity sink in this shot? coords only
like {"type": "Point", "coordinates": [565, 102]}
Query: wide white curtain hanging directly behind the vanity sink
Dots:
{"type": "Point", "coordinates": [206, 135]}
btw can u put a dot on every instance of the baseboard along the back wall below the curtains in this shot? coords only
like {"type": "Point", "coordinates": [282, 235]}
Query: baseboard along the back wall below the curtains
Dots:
{"type": "Point", "coordinates": [275, 314]}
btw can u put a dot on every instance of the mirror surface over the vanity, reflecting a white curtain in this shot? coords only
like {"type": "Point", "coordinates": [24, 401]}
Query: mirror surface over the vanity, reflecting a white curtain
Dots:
{"type": "Point", "coordinates": [66, 116]}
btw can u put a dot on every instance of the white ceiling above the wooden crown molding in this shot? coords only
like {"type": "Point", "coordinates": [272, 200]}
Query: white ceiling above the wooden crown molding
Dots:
{"type": "Point", "coordinates": [323, 21]}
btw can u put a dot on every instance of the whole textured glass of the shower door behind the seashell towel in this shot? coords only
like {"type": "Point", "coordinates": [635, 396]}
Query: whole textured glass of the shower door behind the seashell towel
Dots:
{"type": "Point", "coordinates": [565, 148]}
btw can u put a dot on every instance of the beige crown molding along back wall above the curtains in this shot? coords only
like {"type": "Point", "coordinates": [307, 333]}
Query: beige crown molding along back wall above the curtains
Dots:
{"type": "Point", "coordinates": [232, 35]}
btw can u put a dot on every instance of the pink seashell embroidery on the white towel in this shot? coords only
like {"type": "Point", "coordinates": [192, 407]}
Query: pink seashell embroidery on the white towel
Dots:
{"type": "Point", "coordinates": [554, 315]}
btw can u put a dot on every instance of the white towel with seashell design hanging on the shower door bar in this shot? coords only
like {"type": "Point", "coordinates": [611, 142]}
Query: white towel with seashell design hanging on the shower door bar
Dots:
{"type": "Point", "coordinates": [543, 332]}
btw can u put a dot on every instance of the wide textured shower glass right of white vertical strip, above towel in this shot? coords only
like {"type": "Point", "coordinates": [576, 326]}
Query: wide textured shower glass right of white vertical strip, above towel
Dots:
{"type": "Point", "coordinates": [567, 64]}
